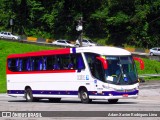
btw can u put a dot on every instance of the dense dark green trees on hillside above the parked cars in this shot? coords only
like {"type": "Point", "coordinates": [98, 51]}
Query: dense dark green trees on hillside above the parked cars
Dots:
{"type": "Point", "coordinates": [116, 22]}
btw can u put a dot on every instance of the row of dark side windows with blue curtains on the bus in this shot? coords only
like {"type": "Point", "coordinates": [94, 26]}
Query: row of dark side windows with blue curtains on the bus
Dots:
{"type": "Point", "coordinates": [53, 62]}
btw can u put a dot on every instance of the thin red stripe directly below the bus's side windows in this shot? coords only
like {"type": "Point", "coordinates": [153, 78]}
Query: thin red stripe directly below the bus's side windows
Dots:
{"type": "Point", "coordinates": [40, 72]}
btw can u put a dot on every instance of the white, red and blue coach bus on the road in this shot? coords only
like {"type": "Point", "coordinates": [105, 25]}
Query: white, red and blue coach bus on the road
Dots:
{"type": "Point", "coordinates": [88, 73]}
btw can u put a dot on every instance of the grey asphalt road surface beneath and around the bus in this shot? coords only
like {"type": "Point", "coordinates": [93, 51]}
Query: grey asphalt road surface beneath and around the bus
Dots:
{"type": "Point", "coordinates": [148, 100]}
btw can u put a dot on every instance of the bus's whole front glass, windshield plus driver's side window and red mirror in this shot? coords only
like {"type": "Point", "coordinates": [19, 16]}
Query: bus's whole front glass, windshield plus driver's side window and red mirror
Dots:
{"type": "Point", "coordinates": [118, 70]}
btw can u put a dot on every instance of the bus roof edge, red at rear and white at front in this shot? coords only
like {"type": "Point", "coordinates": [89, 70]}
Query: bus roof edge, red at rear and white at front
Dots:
{"type": "Point", "coordinates": [103, 50]}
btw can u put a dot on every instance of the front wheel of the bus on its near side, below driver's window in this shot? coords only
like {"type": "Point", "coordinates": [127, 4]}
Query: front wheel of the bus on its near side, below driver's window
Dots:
{"type": "Point", "coordinates": [84, 96]}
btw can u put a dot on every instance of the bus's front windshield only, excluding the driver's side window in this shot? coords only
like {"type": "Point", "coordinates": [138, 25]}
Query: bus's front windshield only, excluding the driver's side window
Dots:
{"type": "Point", "coordinates": [121, 70]}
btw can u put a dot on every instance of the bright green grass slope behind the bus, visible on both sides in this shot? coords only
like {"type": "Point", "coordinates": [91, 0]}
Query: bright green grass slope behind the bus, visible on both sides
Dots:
{"type": "Point", "coordinates": [6, 48]}
